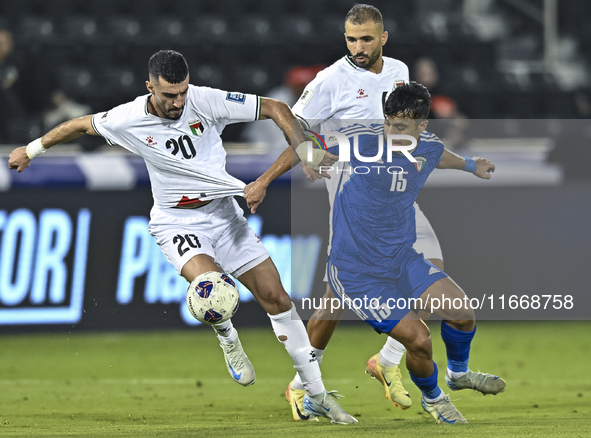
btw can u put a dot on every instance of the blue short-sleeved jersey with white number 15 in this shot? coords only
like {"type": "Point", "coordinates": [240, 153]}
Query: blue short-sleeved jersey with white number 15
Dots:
{"type": "Point", "coordinates": [373, 213]}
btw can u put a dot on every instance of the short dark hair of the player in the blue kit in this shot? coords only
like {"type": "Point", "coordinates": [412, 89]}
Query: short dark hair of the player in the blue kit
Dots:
{"type": "Point", "coordinates": [411, 101]}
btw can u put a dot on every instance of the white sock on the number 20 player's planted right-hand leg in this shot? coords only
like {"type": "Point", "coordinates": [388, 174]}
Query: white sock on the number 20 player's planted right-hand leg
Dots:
{"type": "Point", "coordinates": [290, 331]}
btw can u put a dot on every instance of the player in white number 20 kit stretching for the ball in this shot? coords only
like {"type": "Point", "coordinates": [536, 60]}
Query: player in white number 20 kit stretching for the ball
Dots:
{"type": "Point", "coordinates": [195, 219]}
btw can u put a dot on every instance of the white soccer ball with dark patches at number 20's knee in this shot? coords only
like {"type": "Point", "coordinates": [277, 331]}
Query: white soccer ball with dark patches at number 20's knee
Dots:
{"type": "Point", "coordinates": [213, 297]}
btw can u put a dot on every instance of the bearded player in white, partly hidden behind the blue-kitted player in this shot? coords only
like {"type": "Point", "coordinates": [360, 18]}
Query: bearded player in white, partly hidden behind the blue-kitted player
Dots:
{"type": "Point", "coordinates": [352, 90]}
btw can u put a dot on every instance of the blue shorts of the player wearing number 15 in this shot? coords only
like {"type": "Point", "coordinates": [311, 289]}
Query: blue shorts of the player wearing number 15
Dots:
{"type": "Point", "coordinates": [382, 297]}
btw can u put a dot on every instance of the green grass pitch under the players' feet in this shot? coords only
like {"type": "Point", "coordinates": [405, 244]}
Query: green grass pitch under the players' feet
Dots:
{"type": "Point", "coordinates": [174, 384]}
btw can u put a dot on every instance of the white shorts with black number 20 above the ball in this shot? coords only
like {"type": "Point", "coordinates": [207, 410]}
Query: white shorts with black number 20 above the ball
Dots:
{"type": "Point", "coordinates": [217, 229]}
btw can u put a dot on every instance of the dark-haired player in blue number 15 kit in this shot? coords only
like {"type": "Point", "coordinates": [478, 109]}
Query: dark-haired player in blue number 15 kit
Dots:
{"type": "Point", "coordinates": [375, 270]}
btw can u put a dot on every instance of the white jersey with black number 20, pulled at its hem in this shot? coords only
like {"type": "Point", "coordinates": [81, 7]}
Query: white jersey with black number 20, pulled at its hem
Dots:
{"type": "Point", "coordinates": [185, 157]}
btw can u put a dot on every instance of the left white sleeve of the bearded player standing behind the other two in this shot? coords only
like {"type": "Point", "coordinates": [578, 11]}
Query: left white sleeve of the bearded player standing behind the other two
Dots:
{"type": "Point", "coordinates": [315, 102]}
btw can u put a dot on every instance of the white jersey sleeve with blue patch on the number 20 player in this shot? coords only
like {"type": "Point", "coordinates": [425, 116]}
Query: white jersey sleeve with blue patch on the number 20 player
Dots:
{"type": "Point", "coordinates": [232, 107]}
